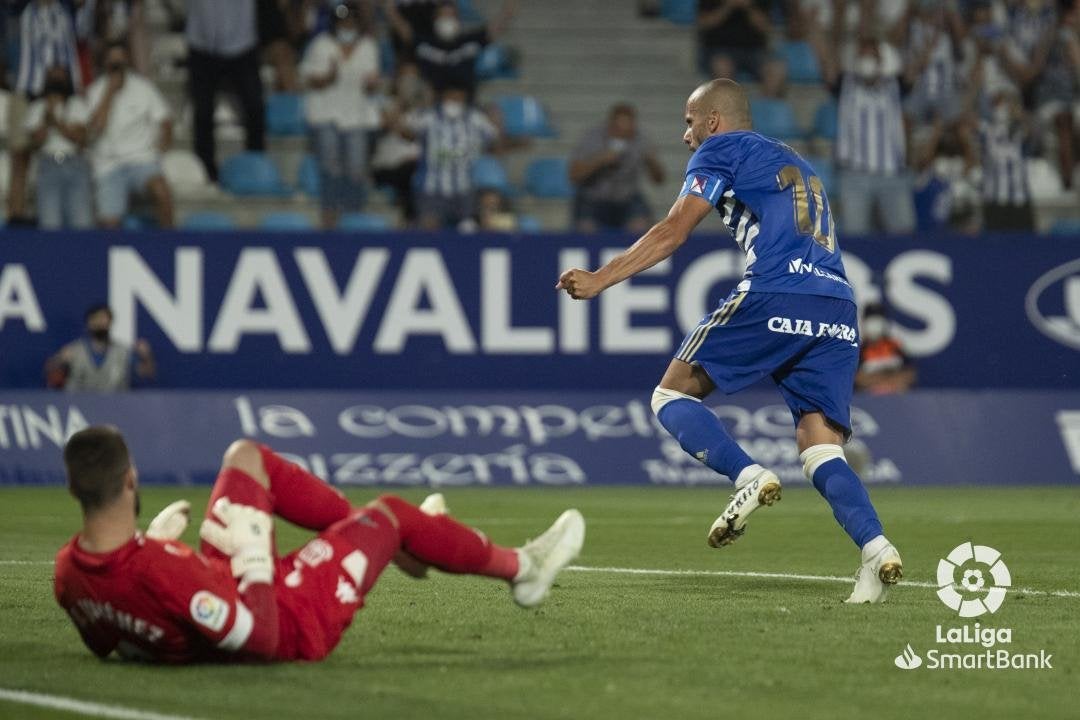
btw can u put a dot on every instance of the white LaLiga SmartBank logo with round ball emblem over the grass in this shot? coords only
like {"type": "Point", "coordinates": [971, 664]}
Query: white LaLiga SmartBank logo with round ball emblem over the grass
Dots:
{"type": "Point", "coordinates": [973, 582]}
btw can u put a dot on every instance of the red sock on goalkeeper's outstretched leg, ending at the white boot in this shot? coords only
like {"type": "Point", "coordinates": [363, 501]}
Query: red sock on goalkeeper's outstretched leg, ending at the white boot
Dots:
{"type": "Point", "coordinates": [443, 542]}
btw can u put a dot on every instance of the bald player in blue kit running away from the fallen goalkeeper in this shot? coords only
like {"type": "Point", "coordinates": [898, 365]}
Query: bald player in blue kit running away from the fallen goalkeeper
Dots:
{"type": "Point", "coordinates": [792, 318]}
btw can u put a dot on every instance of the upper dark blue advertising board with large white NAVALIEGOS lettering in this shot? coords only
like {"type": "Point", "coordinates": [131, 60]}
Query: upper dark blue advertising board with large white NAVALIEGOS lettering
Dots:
{"type": "Point", "coordinates": [411, 311]}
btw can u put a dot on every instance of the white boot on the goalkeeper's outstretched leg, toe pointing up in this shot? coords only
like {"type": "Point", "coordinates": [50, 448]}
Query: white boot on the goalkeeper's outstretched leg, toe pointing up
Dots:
{"type": "Point", "coordinates": [543, 559]}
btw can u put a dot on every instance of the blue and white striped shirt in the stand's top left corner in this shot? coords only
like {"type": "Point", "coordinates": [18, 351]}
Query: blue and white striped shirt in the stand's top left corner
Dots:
{"type": "Point", "coordinates": [47, 39]}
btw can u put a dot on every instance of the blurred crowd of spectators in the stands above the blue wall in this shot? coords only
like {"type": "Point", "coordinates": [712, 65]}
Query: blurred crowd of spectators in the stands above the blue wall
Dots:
{"type": "Point", "coordinates": [938, 110]}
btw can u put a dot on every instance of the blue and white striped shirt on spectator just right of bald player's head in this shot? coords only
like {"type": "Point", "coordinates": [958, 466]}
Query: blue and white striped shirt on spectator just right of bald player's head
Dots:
{"type": "Point", "coordinates": [871, 127]}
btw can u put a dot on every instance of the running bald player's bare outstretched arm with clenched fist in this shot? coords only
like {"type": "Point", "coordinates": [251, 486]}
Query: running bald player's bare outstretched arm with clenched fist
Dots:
{"type": "Point", "coordinates": [658, 244]}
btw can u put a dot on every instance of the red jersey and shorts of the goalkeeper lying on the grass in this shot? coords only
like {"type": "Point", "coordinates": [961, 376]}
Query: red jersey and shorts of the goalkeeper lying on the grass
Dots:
{"type": "Point", "coordinates": [161, 601]}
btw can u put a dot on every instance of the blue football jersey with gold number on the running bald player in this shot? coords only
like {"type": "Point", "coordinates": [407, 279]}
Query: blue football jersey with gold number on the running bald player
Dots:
{"type": "Point", "coordinates": [776, 208]}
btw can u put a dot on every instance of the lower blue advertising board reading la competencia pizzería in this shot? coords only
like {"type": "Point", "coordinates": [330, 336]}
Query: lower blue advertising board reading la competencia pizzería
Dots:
{"type": "Point", "coordinates": [447, 439]}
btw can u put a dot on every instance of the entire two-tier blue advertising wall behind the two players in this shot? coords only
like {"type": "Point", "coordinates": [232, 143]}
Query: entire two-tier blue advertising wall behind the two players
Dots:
{"type": "Point", "coordinates": [452, 361]}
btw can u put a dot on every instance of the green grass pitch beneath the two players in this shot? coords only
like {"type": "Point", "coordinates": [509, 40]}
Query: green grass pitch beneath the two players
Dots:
{"type": "Point", "coordinates": [611, 645]}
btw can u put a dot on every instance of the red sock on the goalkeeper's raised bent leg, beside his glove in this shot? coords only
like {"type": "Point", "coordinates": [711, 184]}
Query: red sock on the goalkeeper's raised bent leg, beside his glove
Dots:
{"type": "Point", "coordinates": [302, 498]}
